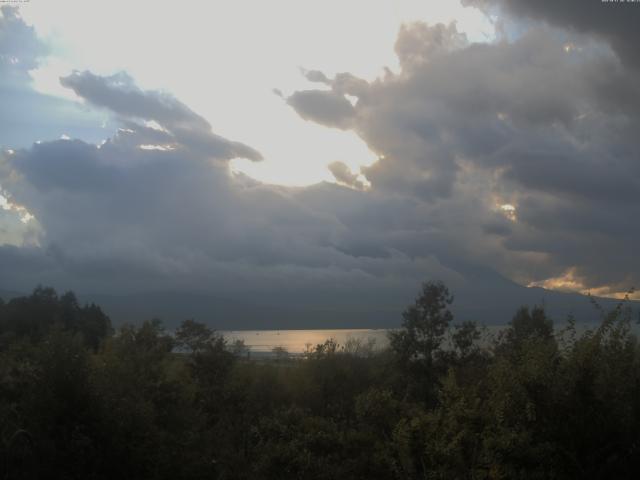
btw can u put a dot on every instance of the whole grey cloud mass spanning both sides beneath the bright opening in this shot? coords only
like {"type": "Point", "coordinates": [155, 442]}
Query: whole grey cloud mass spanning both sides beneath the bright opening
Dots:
{"type": "Point", "coordinates": [516, 156]}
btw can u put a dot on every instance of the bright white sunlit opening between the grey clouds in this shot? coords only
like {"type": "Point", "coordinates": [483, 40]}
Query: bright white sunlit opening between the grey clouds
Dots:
{"type": "Point", "coordinates": [213, 63]}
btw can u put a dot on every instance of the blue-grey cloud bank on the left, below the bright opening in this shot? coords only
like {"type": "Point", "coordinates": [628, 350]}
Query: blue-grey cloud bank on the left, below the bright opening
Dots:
{"type": "Point", "coordinates": [117, 217]}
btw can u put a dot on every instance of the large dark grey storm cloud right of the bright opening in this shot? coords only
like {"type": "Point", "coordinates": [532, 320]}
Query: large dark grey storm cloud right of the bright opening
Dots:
{"type": "Point", "coordinates": [544, 123]}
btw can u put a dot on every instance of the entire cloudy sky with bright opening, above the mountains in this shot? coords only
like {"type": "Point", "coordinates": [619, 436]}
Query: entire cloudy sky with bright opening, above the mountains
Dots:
{"type": "Point", "coordinates": [319, 151]}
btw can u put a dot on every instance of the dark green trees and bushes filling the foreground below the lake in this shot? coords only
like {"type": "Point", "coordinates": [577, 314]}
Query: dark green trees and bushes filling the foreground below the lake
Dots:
{"type": "Point", "coordinates": [80, 401]}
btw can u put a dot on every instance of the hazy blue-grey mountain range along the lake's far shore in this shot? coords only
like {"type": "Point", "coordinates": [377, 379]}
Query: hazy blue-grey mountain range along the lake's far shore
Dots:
{"type": "Point", "coordinates": [484, 296]}
